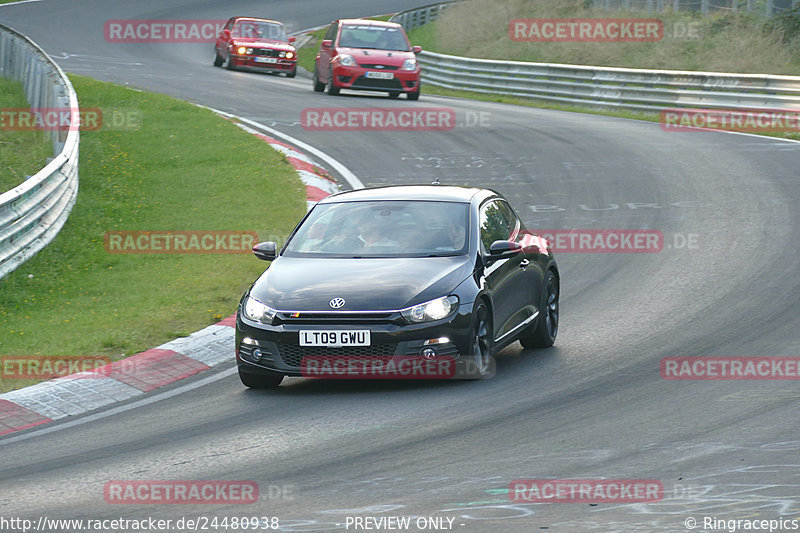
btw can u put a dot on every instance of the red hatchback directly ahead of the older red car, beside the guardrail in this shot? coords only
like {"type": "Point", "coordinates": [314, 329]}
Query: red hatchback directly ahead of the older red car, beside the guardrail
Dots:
{"type": "Point", "coordinates": [367, 55]}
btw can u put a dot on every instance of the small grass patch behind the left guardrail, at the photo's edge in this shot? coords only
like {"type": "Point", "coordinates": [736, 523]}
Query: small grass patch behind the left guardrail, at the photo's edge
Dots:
{"type": "Point", "coordinates": [22, 153]}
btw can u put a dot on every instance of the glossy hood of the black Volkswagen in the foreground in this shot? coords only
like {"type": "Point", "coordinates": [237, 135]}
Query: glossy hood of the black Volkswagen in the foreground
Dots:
{"type": "Point", "coordinates": [370, 284]}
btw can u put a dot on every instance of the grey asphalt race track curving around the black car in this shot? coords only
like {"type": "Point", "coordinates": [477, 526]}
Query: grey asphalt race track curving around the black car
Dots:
{"type": "Point", "coordinates": [593, 406]}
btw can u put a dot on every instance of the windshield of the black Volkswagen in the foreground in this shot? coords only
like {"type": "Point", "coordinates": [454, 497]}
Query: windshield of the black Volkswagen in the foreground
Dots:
{"type": "Point", "coordinates": [383, 229]}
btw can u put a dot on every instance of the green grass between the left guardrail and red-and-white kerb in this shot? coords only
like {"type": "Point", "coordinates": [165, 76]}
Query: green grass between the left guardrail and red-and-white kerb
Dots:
{"type": "Point", "coordinates": [183, 168]}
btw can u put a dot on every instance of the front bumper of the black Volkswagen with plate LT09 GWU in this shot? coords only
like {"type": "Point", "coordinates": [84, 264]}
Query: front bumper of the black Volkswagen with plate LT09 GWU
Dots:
{"type": "Point", "coordinates": [390, 337]}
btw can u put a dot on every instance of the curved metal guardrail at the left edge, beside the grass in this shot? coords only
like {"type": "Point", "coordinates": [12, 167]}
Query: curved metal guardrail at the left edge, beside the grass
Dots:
{"type": "Point", "coordinates": [33, 213]}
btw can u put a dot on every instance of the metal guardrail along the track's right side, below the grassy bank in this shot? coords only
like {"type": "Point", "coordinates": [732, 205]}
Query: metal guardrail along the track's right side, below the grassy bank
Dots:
{"type": "Point", "coordinates": [605, 87]}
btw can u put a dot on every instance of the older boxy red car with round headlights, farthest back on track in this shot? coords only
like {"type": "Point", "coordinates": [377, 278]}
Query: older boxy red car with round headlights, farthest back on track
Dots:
{"type": "Point", "coordinates": [255, 44]}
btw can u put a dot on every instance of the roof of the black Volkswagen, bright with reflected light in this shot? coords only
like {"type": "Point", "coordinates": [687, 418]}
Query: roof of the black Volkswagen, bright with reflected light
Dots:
{"type": "Point", "coordinates": [441, 193]}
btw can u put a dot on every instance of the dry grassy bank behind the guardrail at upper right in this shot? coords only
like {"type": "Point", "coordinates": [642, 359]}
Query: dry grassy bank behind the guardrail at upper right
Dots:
{"type": "Point", "coordinates": [723, 42]}
